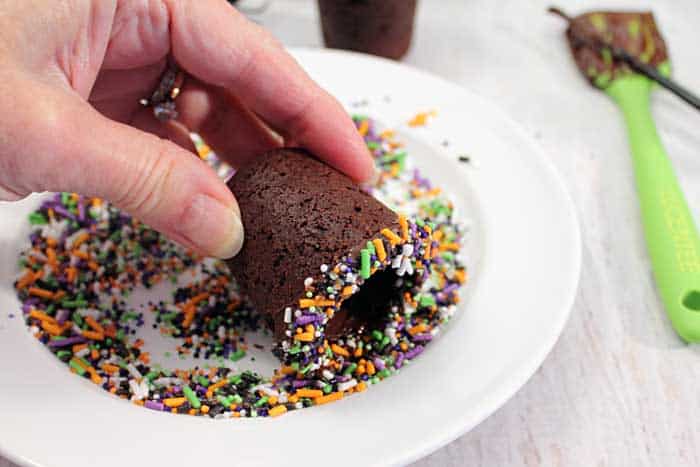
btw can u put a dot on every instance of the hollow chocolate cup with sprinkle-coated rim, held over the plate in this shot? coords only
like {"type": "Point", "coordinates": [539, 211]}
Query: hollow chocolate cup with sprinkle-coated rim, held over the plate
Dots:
{"type": "Point", "coordinates": [321, 257]}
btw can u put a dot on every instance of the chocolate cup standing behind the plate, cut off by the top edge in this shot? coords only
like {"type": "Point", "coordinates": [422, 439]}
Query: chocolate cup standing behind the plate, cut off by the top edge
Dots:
{"type": "Point", "coordinates": [378, 27]}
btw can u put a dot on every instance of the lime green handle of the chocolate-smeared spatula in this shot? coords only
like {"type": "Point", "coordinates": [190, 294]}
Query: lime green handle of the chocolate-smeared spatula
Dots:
{"type": "Point", "coordinates": [671, 236]}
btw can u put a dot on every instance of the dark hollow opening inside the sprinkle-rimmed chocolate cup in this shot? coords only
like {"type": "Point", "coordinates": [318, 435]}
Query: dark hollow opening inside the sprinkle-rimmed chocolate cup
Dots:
{"type": "Point", "coordinates": [369, 307]}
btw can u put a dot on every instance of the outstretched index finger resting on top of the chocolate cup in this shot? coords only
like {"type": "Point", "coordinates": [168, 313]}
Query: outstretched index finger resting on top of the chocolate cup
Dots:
{"type": "Point", "coordinates": [219, 46]}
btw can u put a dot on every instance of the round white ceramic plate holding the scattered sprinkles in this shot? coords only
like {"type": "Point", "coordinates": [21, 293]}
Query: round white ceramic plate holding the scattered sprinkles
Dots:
{"type": "Point", "coordinates": [516, 307]}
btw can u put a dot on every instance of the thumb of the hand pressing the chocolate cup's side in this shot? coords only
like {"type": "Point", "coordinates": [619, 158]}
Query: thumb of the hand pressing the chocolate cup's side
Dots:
{"type": "Point", "coordinates": [74, 148]}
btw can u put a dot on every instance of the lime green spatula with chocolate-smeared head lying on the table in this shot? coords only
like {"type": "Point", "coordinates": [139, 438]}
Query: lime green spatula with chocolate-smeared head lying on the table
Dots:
{"type": "Point", "coordinates": [610, 49]}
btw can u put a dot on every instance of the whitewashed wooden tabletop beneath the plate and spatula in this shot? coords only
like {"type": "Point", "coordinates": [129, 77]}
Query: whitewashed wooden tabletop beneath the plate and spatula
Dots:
{"type": "Point", "coordinates": [619, 388]}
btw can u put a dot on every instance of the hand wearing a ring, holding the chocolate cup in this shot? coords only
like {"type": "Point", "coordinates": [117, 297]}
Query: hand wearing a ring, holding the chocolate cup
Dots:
{"type": "Point", "coordinates": [72, 73]}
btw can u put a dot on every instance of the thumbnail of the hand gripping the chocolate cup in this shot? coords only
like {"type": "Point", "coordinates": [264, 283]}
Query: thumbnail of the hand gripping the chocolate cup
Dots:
{"type": "Point", "coordinates": [214, 228]}
